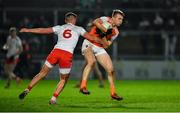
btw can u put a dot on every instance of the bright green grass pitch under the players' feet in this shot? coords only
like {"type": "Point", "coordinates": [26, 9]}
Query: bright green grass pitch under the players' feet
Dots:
{"type": "Point", "coordinates": [139, 95]}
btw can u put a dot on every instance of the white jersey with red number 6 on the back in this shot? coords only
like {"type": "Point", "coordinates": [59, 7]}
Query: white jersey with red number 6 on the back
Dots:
{"type": "Point", "coordinates": [68, 35]}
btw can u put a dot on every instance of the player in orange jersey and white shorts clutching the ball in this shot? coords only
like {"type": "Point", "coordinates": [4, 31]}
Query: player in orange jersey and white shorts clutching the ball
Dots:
{"type": "Point", "coordinates": [93, 51]}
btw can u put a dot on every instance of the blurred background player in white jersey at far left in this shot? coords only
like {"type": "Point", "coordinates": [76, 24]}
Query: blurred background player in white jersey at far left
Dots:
{"type": "Point", "coordinates": [14, 48]}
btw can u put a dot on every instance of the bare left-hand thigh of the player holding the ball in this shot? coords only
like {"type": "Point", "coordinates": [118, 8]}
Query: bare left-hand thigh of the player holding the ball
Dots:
{"type": "Point", "coordinates": [89, 55]}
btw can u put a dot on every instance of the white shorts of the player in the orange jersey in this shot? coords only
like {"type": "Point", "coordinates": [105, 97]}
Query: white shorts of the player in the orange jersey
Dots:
{"type": "Point", "coordinates": [96, 50]}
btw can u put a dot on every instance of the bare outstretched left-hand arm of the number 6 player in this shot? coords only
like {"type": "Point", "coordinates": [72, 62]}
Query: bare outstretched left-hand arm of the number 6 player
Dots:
{"type": "Point", "coordinates": [38, 30]}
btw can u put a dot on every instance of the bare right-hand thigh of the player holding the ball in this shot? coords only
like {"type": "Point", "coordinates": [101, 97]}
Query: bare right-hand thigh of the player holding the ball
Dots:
{"type": "Point", "coordinates": [105, 60]}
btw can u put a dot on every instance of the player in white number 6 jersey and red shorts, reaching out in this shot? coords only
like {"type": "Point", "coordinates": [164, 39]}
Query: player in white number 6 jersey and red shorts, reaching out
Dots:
{"type": "Point", "coordinates": [68, 35]}
